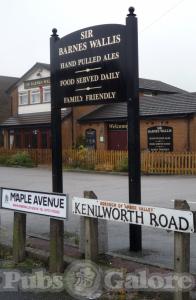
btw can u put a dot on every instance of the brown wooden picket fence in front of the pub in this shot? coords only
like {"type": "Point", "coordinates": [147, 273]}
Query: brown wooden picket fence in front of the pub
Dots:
{"type": "Point", "coordinates": [151, 162]}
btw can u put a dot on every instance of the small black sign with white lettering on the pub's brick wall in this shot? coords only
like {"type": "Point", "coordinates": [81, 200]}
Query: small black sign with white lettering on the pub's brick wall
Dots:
{"type": "Point", "coordinates": [160, 138]}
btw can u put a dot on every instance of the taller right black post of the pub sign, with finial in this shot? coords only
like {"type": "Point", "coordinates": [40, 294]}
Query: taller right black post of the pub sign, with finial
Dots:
{"type": "Point", "coordinates": [132, 84]}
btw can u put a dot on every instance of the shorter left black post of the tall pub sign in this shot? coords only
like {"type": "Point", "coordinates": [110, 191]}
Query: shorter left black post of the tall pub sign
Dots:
{"type": "Point", "coordinates": [56, 226]}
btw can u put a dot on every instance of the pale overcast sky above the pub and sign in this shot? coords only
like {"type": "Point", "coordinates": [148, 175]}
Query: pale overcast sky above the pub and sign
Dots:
{"type": "Point", "coordinates": [166, 33]}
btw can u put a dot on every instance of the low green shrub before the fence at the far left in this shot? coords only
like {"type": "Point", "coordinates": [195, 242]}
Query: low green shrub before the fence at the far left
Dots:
{"type": "Point", "coordinates": [19, 159]}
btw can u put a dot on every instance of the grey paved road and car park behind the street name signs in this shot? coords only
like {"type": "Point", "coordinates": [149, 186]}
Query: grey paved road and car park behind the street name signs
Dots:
{"type": "Point", "coordinates": [156, 191]}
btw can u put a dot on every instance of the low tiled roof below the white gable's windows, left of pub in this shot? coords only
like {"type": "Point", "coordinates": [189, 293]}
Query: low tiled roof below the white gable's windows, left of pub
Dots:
{"type": "Point", "coordinates": [43, 118]}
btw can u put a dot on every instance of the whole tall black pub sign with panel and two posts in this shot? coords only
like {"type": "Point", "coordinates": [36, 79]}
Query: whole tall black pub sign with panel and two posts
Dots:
{"type": "Point", "coordinates": [97, 65]}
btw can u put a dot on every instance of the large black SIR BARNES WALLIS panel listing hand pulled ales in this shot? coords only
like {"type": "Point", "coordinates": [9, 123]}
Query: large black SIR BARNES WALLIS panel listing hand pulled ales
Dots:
{"type": "Point", "coordinates": [90, 65]}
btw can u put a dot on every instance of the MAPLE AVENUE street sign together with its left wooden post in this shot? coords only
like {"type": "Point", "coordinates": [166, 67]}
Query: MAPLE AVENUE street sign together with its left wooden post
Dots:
{"type": "Point", "coordinates": [22, 202]}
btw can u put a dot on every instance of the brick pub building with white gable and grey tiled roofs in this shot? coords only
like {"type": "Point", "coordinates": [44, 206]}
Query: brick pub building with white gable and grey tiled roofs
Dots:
{"type": "Point", "coordinates": [167, 117]}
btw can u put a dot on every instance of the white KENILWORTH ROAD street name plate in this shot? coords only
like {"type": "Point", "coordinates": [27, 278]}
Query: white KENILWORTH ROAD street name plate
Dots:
{"type": "Point", "coordinates": [163, 218]}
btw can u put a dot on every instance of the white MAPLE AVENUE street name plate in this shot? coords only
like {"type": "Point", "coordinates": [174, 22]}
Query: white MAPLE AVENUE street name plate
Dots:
{"type": "Point", "coordinates": [47, 204]}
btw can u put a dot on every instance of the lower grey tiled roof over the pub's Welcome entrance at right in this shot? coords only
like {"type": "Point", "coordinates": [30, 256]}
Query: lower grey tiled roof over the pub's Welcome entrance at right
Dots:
{"type": "Point", "coordinates": [150, 106]}
